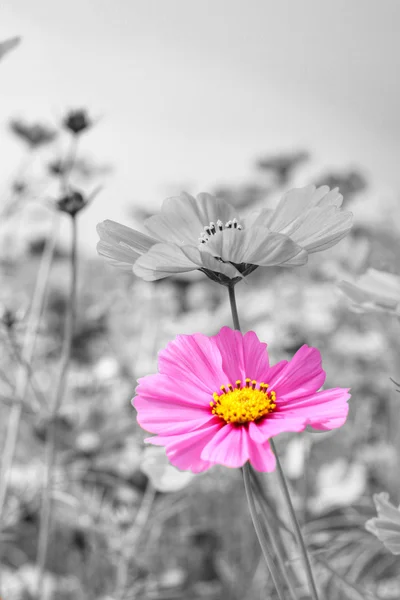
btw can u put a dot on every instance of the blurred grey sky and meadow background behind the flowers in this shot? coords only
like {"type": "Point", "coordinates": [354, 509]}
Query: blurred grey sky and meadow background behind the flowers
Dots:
{"type": "Point", "coordinates": [245, 100]}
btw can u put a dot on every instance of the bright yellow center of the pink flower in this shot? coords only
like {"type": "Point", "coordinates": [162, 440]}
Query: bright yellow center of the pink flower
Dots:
{"type": "Point", "coordinates": [242, 404]}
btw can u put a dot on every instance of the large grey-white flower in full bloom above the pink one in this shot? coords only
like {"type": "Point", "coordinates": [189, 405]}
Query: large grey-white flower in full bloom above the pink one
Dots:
{"type": "Point", "coordinates": [206, 233]}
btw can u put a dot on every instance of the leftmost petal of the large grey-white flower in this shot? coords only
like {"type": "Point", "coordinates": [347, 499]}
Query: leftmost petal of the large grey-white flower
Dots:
{"type": "Point", "coordinates": [121, 245]}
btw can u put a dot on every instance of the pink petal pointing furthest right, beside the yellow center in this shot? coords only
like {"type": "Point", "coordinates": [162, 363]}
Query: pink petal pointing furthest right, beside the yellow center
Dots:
{"type": "Point", "coordinates": [324, 410]}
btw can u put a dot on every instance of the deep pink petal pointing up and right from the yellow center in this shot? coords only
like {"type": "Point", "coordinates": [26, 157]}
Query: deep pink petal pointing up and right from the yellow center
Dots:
{"type": "Point", "coordinates": [302, 375]}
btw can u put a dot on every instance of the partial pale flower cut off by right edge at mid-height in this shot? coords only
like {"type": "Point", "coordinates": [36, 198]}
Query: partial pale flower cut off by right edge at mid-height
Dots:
{"type": "Point", "coordinates": [375, 291]}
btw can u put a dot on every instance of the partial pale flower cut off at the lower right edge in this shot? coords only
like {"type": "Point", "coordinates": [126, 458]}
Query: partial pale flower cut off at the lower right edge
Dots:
{"type": "Point", "coordinates": [386, 526]}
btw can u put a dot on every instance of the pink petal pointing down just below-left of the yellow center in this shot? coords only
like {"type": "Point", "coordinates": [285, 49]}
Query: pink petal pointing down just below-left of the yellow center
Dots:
{"type": "Point", "coordinates": [230, 446]}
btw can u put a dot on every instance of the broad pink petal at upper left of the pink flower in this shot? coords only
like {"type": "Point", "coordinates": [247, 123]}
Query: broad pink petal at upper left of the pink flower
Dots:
{"type": "Point", "coordinates": [194, 359]}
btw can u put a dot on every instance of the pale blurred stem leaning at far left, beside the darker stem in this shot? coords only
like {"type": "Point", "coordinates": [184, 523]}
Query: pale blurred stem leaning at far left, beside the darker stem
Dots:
{"type": "Point", "coordinates": [23, 374]}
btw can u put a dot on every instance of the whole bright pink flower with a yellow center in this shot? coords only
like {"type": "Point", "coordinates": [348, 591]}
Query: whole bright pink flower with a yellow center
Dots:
{"type": "Point", "coordinates": [216, 400]}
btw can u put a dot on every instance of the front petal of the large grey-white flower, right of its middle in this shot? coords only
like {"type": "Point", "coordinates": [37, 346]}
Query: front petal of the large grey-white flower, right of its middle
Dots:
{"type": "Point", "coordinates": [256, 246]}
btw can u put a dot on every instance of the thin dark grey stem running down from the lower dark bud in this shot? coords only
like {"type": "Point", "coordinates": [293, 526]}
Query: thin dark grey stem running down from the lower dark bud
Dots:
{"type": "Point", "coordinates": [50, 450]}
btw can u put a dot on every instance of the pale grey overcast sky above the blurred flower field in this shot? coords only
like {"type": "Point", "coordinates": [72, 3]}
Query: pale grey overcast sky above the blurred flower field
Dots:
{"type": "Point", "coordinates": [191, 91]}
